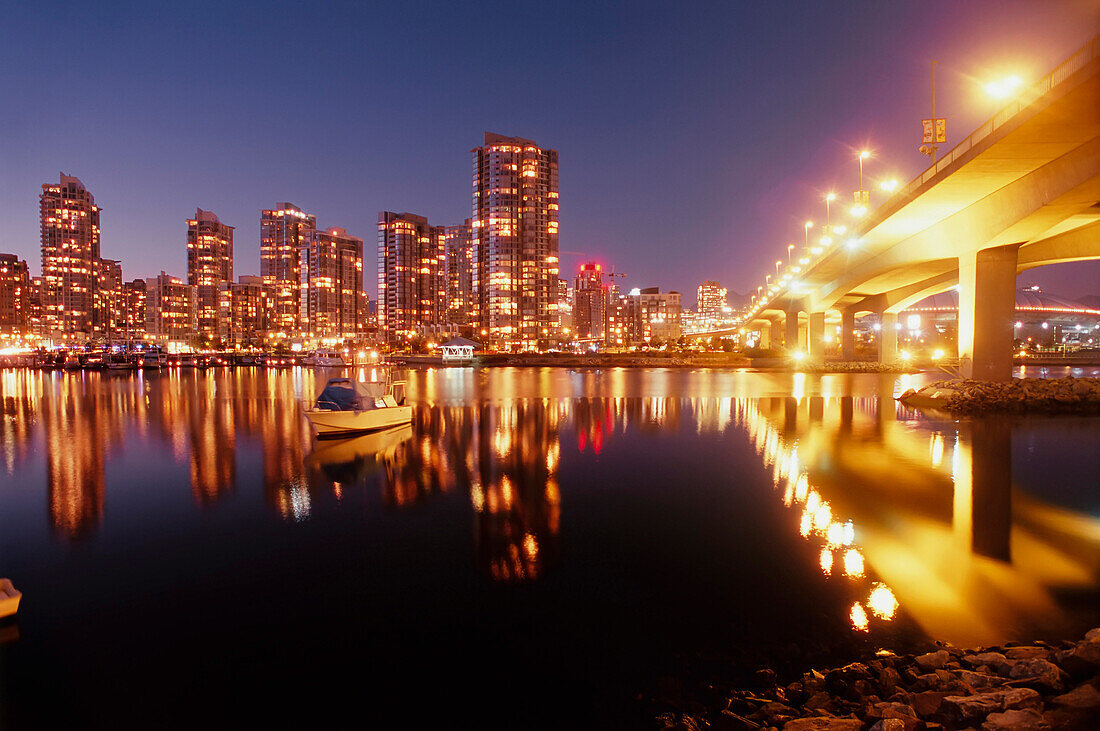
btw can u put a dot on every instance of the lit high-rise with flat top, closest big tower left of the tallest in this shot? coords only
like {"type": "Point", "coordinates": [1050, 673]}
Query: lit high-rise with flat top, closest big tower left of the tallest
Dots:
{"type": "Point", "coordinates": [411, 276]}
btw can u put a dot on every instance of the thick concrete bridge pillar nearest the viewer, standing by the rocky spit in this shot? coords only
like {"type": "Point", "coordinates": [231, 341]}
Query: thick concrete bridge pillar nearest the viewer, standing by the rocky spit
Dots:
{"type": "Point", "coordinates": [987, 309]}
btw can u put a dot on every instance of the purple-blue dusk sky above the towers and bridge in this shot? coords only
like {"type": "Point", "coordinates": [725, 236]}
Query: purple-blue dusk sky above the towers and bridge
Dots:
{"type": "Point", "coordinates": [695, 139]}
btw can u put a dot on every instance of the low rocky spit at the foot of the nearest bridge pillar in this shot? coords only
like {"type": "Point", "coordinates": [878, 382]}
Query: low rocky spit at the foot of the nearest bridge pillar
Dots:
{"type": "Point", "coordinates": [1032, 395]}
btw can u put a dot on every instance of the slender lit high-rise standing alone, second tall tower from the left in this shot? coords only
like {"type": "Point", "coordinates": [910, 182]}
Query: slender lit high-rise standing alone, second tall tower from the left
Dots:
{"type": "Point", "coordinates": [211, 271]}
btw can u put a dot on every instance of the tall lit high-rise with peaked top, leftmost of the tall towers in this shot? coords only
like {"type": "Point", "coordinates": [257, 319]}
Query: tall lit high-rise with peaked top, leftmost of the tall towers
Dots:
{"type": "Point", "coordinates": [70, 226]}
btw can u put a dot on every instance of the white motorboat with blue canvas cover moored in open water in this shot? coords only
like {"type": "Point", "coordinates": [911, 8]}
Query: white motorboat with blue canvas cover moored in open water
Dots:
{"type": "Point", "coordinates": [348, 407]}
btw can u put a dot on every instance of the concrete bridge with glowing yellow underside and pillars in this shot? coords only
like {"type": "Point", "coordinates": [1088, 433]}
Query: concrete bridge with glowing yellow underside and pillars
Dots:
{"type": "Point", "coordinates": [1022, 192]}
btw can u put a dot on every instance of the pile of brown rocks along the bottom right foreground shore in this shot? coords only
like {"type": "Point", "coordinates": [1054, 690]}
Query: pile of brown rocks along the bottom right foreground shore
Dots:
{"type": "Point", "coordinates": [1016, 686]}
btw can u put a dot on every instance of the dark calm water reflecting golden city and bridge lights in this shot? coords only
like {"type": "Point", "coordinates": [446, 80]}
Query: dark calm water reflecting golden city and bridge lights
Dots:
{"type": "Point", "coordinates": [542, 548]}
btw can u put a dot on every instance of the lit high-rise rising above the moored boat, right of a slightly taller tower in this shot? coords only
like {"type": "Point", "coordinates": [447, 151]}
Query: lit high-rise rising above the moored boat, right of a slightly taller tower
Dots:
{"type": "Point", "coordinates": [332, 287]}
